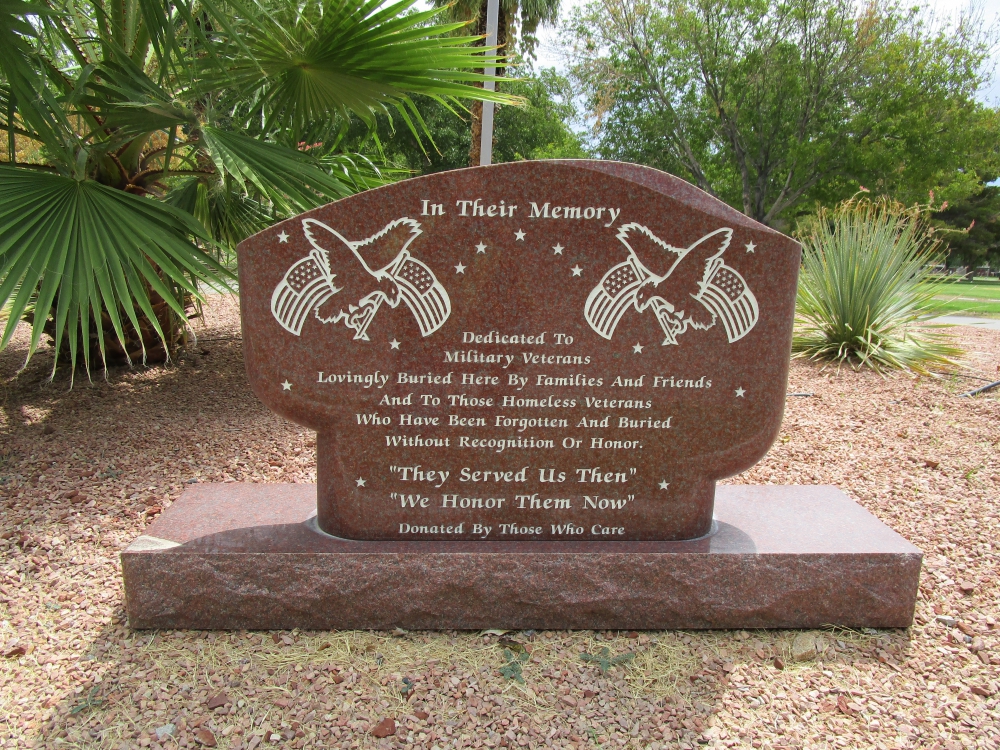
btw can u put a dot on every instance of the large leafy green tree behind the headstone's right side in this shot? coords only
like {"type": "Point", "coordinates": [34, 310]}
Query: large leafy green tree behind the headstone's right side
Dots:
{"type": "Point", "coordinates": [771, 105]}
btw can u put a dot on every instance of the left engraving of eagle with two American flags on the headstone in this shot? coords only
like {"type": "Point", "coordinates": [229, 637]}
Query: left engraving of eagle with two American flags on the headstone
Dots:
{"type": "Point", "coordinates": [369, 272]}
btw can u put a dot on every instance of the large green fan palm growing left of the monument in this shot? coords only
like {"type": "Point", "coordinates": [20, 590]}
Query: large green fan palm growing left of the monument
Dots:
{"type": "Point", "coordinates": [145, 138]}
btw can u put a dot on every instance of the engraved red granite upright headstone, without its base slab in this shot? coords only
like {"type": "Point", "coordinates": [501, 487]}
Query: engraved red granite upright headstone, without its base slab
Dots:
{"type": "Point", "coordinates": [566, 350]}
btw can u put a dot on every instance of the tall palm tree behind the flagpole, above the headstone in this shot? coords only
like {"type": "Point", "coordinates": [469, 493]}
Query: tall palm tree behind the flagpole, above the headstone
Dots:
{"type": "Point", "coordinates": [528, 14]}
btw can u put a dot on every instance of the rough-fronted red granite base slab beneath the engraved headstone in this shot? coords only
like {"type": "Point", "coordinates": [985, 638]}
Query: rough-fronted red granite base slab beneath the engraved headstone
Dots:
{"type": "Point", "coordinates": [234, 556]}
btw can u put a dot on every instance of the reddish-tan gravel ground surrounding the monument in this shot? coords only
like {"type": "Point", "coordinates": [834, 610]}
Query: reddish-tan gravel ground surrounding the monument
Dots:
{"type": "Point", "coordinates": [73, 675]}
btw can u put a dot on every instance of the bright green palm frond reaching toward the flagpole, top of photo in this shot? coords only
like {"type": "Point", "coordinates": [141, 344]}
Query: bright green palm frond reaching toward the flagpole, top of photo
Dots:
{"type": "Point", "coordinates": [359, 58]}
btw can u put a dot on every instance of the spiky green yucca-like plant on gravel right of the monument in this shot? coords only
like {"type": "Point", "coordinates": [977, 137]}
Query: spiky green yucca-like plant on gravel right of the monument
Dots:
{"type": "Point", "coordinates": [864, 294]}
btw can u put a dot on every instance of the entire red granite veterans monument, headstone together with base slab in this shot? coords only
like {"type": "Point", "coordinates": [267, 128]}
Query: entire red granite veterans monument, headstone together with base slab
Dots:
{"type": "Point", "coordinates": [526, 381]}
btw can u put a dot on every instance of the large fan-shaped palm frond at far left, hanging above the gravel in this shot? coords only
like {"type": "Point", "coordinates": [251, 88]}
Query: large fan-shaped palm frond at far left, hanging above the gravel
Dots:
{"type": "Point", "coordinates": [77, 250]}
